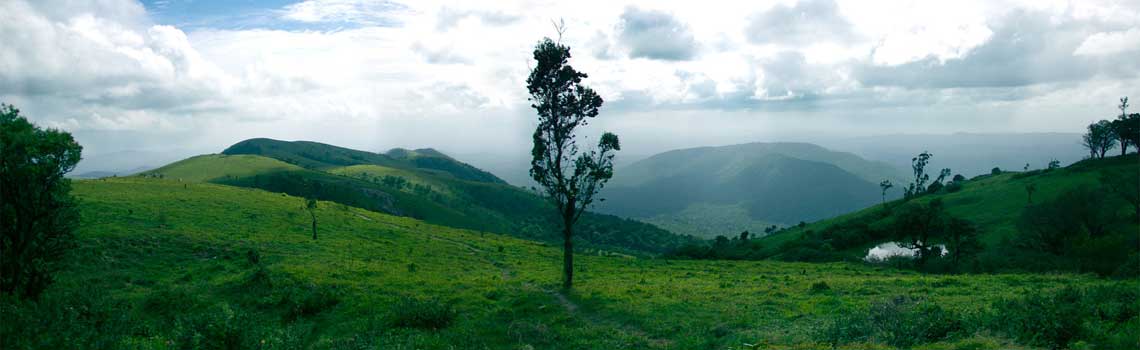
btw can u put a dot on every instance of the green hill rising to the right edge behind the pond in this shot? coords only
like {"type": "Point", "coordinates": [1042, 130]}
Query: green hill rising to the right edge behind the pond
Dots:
{"type": "Point", "coordinates": [996, 205]}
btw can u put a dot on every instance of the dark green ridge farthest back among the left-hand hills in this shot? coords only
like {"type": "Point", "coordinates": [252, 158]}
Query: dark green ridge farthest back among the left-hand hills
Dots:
{"type": "Point", "coordinates": [320, 157]}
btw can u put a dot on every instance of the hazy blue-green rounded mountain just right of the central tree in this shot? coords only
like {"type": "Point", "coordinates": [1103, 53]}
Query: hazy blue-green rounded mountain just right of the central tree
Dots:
{"type": "Point", "coordinates": [722, 191]}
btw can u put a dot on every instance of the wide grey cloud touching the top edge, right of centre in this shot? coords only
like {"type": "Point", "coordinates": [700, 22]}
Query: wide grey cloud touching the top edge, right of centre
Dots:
{"type": "Point", "coordinates": [805, 23]}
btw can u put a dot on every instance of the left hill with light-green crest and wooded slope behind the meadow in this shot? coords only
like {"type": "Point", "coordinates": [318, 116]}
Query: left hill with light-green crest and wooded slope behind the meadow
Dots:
{"type": "Point", "coordinates": [429, 194]}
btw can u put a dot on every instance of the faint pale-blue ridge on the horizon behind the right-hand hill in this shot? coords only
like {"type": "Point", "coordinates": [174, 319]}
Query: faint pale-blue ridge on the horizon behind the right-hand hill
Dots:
{"type": "Point", "coordinates": [970, 154]}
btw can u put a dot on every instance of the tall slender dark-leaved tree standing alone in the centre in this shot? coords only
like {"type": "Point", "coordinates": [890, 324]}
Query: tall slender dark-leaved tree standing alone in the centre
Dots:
{"type": "Point", "coordinates": [571, 178]}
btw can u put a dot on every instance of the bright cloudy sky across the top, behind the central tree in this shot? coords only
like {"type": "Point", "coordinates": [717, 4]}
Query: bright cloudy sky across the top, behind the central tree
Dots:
{"type": "Point", "coordinates": [197, 75]}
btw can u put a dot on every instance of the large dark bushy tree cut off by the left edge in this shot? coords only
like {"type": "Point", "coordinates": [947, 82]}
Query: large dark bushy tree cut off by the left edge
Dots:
{"type": "Point", "coordinates": [38, 214]}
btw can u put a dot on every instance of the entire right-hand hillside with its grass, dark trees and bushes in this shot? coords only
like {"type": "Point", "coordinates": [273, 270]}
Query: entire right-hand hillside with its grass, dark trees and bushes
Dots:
{"type": "Point", "coordinates": [1077, 222]}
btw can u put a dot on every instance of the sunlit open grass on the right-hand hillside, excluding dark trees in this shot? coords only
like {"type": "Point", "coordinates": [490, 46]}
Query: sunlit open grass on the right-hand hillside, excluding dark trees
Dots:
{"type": "Point", "coordinates": [994, 204]}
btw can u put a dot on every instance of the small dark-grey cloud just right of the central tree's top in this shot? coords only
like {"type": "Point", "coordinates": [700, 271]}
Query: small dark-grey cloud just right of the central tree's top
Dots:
{"type": "Point", "coordinates": [656, 36]}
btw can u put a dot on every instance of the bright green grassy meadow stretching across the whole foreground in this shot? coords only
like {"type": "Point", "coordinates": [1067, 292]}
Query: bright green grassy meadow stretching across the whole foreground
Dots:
{"type": "Point", "coordinates": [168, 265]}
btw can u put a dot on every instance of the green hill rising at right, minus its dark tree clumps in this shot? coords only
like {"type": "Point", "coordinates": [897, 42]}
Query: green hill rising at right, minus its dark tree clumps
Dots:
{"type": "Point", "coordinates": [994, 204]}
